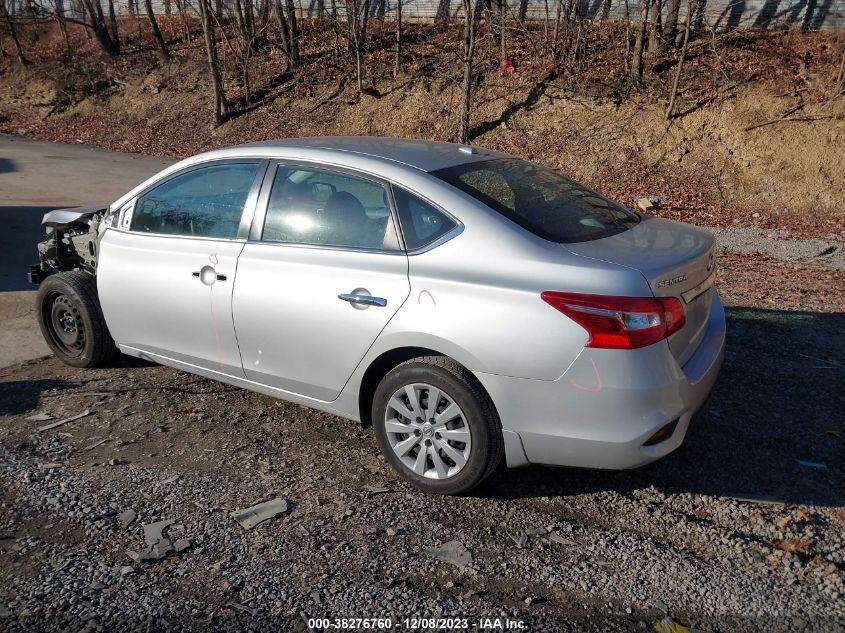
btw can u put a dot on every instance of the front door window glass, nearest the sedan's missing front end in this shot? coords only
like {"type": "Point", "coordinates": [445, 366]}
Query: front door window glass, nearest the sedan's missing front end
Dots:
{"type": "Point", "coordinates": [204, 202]}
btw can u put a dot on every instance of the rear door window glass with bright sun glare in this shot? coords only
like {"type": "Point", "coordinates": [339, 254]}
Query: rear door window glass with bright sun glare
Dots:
{"type": "Point", "coordinates": [328, 208]}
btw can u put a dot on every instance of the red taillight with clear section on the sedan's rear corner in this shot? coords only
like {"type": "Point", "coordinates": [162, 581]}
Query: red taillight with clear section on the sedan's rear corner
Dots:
{"type": "Point", "coordinates": [620, 322]}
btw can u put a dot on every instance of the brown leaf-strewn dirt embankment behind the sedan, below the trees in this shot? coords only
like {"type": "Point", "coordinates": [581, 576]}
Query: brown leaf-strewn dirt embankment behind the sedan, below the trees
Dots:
{"type": "Point", "coordinates": [707, 165]}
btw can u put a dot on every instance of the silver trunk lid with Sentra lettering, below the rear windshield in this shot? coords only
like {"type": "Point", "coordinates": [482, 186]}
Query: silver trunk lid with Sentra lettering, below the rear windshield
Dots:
{"type": "Point", "coordinates": [676, 259]}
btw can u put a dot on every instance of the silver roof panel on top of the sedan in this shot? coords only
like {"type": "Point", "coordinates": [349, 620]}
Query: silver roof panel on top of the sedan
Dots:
{"type": "Point", "coordinates": [425, 155]}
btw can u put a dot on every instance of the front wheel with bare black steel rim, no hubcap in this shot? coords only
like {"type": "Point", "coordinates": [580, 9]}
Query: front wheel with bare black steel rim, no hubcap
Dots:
{"type": "Point", "coordinates": [72, 321]}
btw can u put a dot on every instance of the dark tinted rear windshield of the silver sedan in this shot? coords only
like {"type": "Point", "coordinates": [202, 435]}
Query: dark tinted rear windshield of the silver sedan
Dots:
{"type": "Point", "coordinates": [540, 200]}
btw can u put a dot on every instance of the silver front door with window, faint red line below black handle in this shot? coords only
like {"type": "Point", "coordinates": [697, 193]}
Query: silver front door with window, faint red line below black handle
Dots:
{"type": "Point", "coordinates": [167, 265]}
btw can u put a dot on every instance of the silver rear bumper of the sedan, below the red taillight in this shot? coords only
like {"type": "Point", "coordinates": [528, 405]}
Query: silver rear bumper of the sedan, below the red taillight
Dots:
{"type": "Point", "coordinates": [602, 410]}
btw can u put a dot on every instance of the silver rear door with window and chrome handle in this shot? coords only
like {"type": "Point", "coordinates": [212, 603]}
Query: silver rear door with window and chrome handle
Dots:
{"type": "Point", "coordinates": [319, 279]}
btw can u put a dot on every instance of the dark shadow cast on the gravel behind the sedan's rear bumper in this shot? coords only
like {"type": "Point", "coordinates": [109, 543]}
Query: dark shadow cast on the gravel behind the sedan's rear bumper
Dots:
{"type": "Point", "coordinates": [780, 398]}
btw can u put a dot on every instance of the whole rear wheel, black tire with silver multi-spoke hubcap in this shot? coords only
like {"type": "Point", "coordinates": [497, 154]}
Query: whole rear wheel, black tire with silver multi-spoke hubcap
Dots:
{"type": "Point", "coordinates": [436, 425]}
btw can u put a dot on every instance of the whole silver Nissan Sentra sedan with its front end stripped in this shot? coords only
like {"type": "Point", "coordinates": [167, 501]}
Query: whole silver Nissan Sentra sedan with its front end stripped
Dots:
{"type": "Point", "coordinates": [472, 306]}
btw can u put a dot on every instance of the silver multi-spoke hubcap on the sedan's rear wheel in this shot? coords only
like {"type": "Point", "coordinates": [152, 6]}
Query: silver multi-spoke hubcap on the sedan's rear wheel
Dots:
{"type": "Point", "coordinates": [428, 431]}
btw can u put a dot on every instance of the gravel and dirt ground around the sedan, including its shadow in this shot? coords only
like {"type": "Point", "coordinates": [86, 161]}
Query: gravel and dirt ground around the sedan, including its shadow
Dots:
{"type": "Point", "coordinates": [729, 533]}
